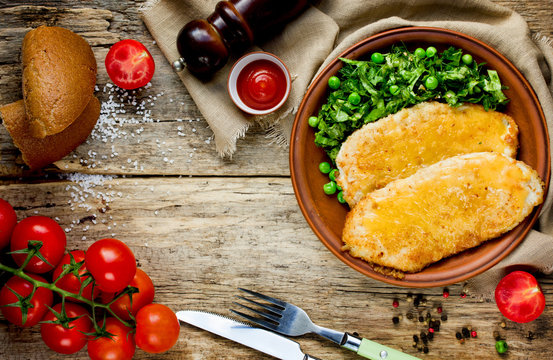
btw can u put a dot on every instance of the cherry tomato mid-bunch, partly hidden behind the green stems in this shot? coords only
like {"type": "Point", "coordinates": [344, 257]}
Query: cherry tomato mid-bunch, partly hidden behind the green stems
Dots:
{"type": "Point", "coordinates": [70, 281]}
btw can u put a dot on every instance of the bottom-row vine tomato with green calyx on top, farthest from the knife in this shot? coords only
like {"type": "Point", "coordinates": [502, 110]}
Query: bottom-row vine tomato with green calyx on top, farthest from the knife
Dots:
{"type": "Point", "coordinates": [62, 340]}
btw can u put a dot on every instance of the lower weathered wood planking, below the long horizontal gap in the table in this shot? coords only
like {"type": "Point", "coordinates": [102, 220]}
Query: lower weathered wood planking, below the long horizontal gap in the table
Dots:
{"type": "Point", "coordinates": [201, 238]}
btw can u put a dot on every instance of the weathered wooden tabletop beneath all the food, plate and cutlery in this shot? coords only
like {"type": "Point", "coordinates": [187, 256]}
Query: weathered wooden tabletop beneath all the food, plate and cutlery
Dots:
{"type": "Point", "coordinates": [201, 226]}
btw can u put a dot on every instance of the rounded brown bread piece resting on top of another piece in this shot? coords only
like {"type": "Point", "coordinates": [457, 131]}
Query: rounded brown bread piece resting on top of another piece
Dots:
{"type": "Point", "coordinates": [59, 75]}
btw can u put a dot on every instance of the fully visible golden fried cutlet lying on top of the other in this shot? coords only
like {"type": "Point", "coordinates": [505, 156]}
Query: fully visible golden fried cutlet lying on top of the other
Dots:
{"type": "Point", "coordinates": [441, 210]}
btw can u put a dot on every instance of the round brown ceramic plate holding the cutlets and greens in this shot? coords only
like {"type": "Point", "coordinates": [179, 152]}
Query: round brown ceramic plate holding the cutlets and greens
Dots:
{"type": "Point", "coordinates": [326, 216]}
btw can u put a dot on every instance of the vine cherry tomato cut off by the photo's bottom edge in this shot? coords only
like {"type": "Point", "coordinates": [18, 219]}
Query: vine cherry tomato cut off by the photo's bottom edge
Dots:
{"type": "Point", "coordinates": [120, 347]}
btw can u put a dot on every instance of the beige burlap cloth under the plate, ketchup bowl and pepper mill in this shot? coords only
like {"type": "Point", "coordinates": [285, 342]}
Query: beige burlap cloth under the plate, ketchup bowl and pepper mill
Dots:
{"type": "Point", "coordinates": [330, 26]}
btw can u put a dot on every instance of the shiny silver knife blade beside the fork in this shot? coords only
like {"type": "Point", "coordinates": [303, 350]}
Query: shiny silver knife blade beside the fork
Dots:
{"type": "Point", "coordinates": [262, 340]}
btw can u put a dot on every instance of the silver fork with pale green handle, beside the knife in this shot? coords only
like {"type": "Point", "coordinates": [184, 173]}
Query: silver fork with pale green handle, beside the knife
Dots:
{"type": "Point", "coordinates": [287, 319]}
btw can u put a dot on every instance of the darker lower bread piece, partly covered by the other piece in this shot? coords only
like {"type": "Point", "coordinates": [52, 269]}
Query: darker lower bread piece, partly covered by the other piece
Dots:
{"type": "Point", "coordinates": [38, 153]}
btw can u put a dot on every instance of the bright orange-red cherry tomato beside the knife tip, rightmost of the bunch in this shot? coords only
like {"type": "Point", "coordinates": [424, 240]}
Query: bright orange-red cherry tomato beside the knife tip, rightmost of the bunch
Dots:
{"type": "Point", "coordinates": [157, 328]}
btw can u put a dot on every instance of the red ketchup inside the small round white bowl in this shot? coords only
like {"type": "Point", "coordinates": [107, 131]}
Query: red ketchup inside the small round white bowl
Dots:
{"type": "Point", "coordinates": [261, 84]}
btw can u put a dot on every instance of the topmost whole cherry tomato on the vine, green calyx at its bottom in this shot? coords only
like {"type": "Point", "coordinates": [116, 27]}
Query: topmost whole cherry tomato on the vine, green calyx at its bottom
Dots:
{"type": "Point", "coordinates": [43, 229]}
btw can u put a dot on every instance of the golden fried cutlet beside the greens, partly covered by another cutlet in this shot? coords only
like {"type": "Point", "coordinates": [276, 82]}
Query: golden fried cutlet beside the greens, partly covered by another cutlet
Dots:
{"type": "Point", "coordinates": [398, 145]}
